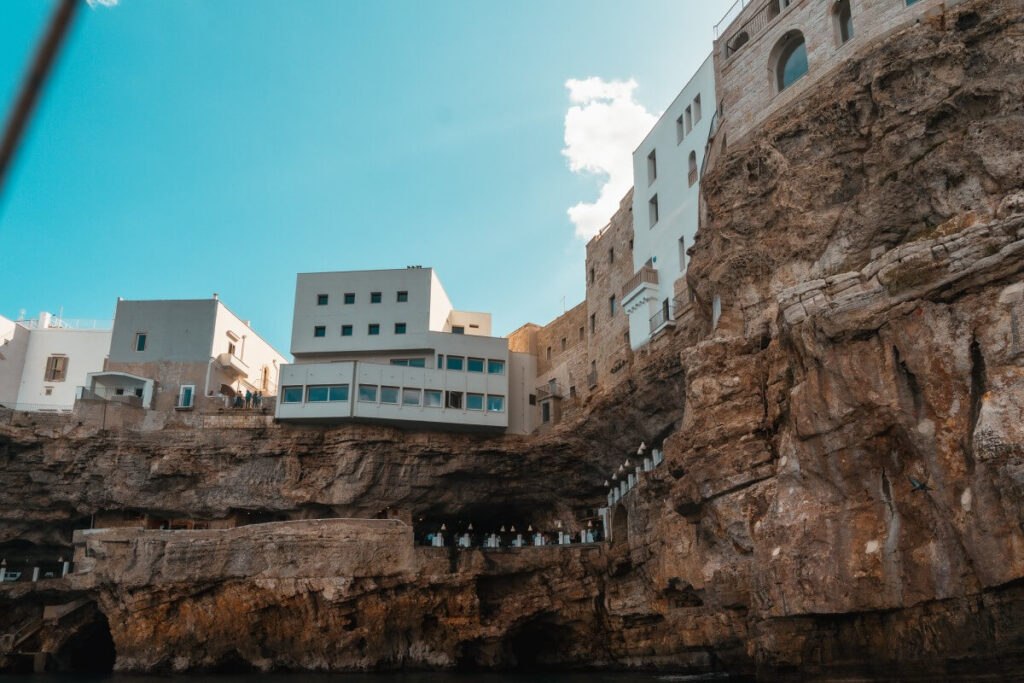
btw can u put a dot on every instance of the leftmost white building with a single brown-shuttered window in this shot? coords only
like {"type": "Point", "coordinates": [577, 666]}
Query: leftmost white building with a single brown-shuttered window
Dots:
{"type": "Point", "coordinates": [45, 361]}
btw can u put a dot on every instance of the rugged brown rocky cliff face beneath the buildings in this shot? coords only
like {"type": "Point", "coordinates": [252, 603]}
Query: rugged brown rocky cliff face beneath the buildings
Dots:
{"type": "Point", "coordinates": [844, 480]}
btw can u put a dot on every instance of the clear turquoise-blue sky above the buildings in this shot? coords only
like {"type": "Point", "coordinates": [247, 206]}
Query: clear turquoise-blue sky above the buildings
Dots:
{"type": "Point", "coordinates": [195, 147]}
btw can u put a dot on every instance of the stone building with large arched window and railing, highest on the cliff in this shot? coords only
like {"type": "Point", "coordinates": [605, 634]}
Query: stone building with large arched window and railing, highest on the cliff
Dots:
{"type": "Point", "coordinates": [773, 52]}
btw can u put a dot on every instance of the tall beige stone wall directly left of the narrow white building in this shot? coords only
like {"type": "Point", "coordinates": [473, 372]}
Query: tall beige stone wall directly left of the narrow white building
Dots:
{"type": "Point", "coordinates": [608, 345]}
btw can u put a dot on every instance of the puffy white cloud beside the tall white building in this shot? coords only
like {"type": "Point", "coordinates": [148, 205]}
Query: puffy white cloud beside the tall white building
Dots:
{"type": "Point", "coordinates": [603, 130]}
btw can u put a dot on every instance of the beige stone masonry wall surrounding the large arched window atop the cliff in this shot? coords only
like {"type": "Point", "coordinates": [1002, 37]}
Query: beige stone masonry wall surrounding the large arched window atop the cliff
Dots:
{"type": "Point", "coordinates": [745, 81]}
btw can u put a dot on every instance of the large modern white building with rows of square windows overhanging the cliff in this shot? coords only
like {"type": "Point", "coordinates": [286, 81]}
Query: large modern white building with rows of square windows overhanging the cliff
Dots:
{"type": "Point", "coordinates": [388, 347]}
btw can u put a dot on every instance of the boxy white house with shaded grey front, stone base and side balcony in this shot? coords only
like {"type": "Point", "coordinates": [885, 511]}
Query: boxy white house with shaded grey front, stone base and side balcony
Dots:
{"type": "Point", "coordinates": [167, 354]}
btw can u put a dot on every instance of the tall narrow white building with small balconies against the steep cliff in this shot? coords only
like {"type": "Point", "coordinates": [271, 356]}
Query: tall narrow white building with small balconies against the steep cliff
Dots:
{"type": "Point", "coordinates": [666, 177]}
